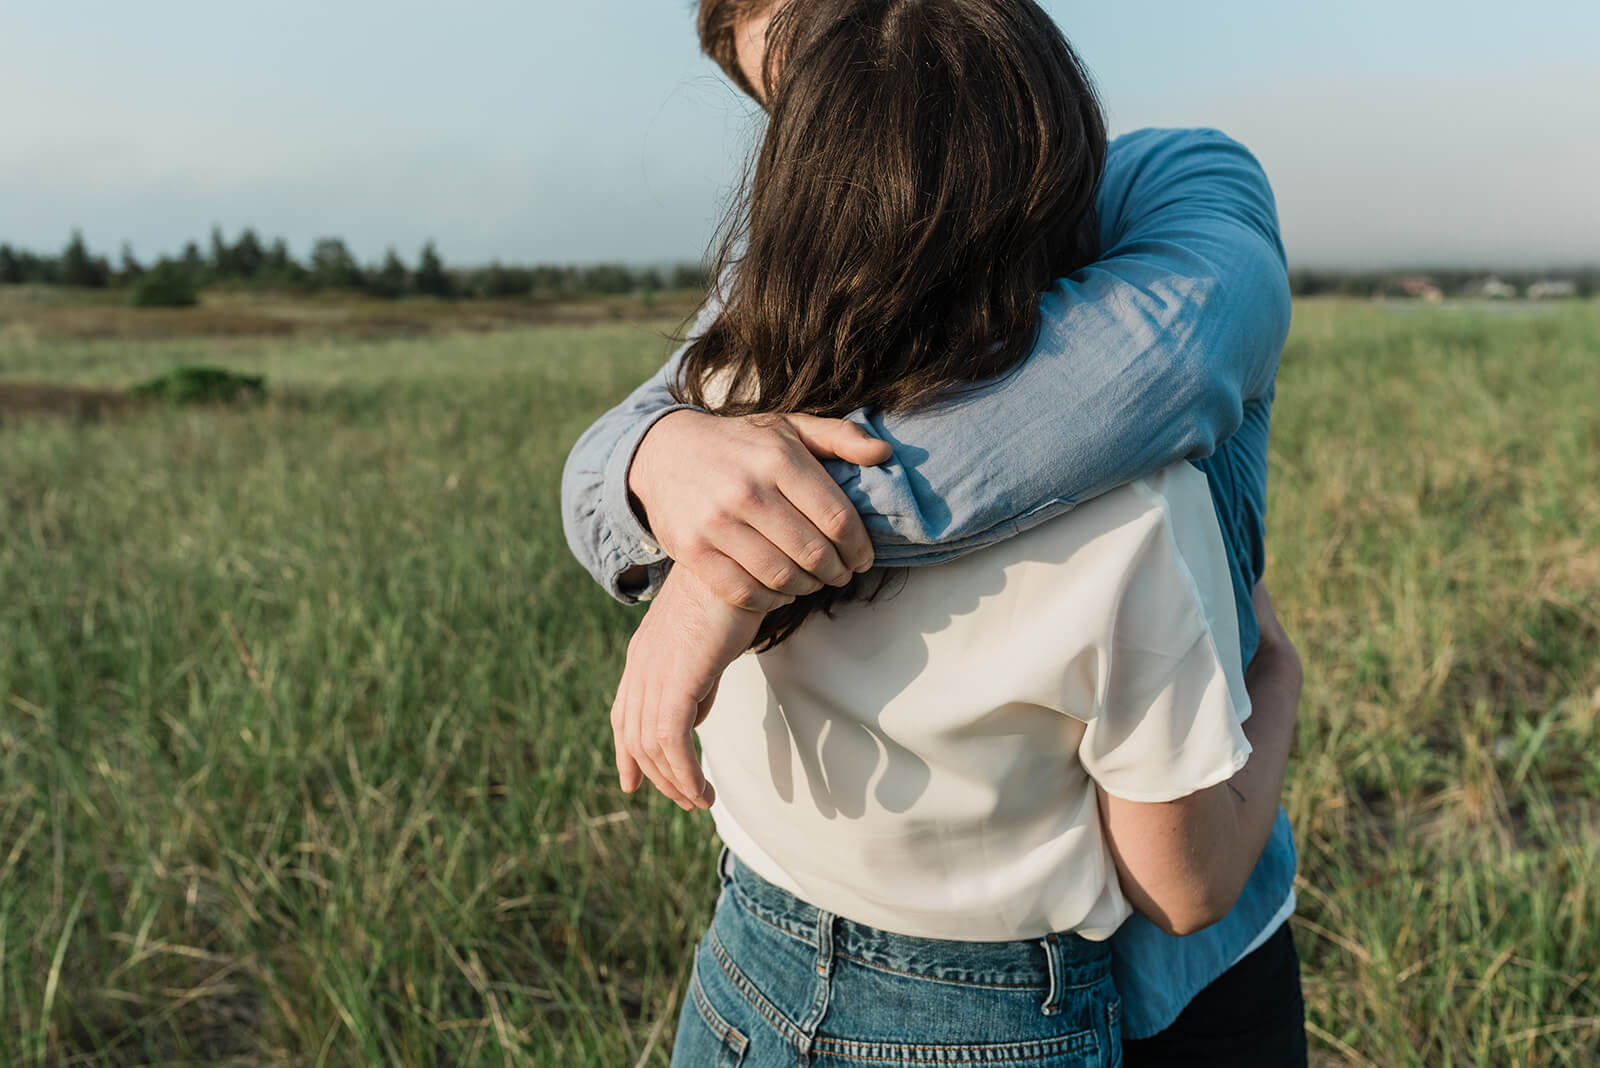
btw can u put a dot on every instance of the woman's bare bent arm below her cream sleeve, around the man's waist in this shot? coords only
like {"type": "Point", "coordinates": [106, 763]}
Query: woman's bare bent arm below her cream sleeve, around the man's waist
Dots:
{"type": "Point", "coordinates": [1185, 863]}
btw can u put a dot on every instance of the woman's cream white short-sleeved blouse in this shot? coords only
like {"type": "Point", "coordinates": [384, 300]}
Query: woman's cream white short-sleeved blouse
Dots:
{"type": "Point", "coordinates": [926, 763]}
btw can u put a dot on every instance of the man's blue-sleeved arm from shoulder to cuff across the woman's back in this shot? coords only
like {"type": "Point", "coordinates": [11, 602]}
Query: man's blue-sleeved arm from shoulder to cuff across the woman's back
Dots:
{"type": "Point", "coordinates": [1143, 359]}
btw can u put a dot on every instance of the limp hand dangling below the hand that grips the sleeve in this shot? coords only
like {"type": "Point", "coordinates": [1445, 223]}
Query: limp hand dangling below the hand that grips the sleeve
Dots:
{"type": "Point", "coordinates": [674, 663]}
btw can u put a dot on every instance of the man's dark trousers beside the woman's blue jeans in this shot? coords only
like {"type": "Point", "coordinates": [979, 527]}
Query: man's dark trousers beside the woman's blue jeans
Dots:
{"type": "Point", "coordinates": [1252, 1016]}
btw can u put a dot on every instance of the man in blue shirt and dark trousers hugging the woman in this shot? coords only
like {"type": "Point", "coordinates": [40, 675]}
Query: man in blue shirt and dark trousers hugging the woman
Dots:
{"type": "Point", "coordinates": [1166, 349]}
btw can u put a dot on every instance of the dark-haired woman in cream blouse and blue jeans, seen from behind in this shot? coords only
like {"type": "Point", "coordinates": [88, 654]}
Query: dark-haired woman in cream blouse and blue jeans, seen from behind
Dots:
{"type": "Point", "coordinates": [930, 797]}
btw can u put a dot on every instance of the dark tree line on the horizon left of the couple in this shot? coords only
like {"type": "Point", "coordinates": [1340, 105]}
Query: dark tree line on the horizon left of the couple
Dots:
{"type": "Point", "coordinates": [249, 261]}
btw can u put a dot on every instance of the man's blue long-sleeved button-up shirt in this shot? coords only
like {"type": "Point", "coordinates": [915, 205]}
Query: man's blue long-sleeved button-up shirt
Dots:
{"type": "Point", "coordinates": [1164, 349]}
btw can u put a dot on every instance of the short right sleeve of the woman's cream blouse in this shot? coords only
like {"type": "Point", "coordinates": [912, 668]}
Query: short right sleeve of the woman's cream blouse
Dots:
{"type": "Point", "coordinates": [1169, 687]}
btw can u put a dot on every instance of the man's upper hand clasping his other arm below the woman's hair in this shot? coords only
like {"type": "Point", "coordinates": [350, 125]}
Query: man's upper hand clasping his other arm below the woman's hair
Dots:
{"type": "Point", "coordinates": [745, 504]}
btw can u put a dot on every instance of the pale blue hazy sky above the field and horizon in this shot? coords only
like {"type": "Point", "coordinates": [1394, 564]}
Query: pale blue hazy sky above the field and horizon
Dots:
{"type": "Point", "coordinates": [553, 130]}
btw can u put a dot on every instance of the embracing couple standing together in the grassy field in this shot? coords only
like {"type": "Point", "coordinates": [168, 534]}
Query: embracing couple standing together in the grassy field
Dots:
{"type": "Point", "coordinates": [951, 517]}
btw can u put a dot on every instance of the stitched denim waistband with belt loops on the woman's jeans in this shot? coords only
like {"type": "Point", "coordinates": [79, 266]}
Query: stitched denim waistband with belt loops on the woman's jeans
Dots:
{"type": "Point", "coordinates": [1062, 960]}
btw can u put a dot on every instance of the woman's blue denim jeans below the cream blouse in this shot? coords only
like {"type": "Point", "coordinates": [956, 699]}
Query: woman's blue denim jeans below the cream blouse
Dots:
{"type": "Point", "coordinates": [780, 984]}
